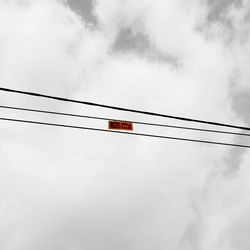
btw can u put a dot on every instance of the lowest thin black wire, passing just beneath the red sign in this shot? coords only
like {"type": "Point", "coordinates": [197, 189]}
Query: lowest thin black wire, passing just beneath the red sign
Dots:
{"type": "Point", "coordinates": [127, 133]}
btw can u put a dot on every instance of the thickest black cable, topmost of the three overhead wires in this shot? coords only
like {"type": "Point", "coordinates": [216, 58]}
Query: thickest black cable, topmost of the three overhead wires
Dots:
{"type": "Point", "coordinates": [123, 109]}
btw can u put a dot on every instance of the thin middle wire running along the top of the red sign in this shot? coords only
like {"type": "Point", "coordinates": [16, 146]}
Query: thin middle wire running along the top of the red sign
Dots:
{"type": "Point", "coordinates": [135, 122]}
